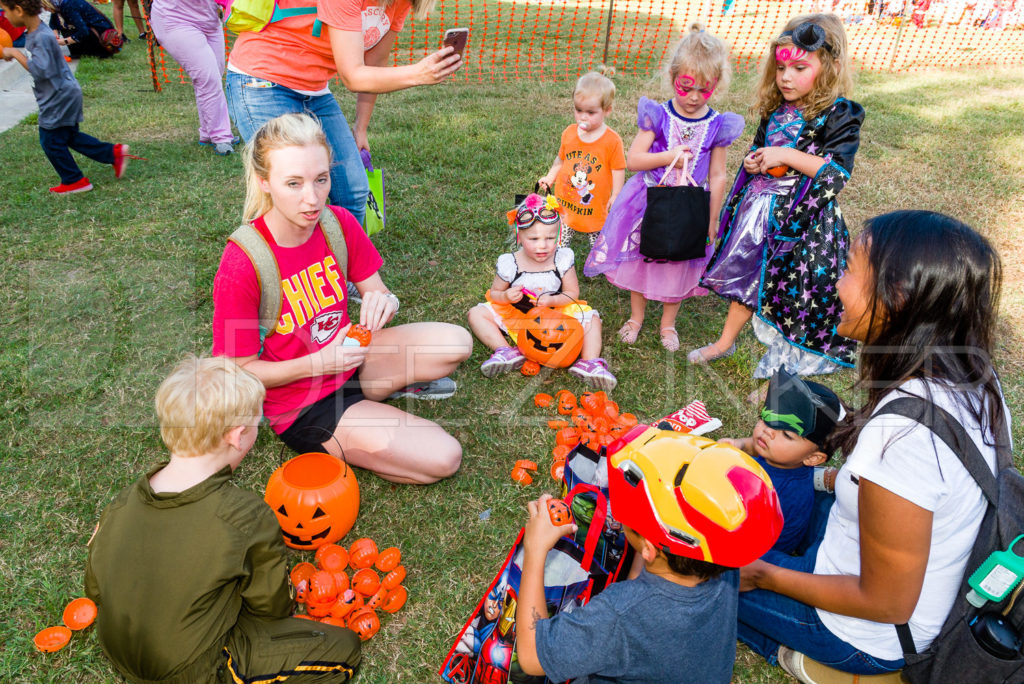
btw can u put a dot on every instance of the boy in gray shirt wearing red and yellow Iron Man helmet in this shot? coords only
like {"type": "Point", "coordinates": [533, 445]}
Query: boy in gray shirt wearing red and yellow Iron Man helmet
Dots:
{"type": "Point", "coordinates": [694, 511]}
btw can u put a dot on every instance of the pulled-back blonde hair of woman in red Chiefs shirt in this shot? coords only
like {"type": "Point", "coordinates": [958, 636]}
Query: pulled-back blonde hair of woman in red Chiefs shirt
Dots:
{"type": "Point", "coordinates": [287, 131]}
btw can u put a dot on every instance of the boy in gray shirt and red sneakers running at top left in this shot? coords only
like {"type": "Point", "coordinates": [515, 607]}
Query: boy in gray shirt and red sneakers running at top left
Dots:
{"type": "Point", "coordinates": [60, 101]}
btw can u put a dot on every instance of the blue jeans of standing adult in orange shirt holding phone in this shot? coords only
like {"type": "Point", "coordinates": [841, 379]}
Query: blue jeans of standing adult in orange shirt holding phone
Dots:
{"type": "Point", "coordinates": [253, 102]}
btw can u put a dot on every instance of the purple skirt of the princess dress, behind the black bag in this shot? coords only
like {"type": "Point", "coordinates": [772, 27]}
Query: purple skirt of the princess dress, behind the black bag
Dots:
{"type": "Point", "coordinates": [617, 253]}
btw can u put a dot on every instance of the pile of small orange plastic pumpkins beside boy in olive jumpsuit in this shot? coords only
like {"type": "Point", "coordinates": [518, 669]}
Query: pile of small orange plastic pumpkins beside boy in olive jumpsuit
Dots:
{"type": "Point", "coordinates": [352, 598]}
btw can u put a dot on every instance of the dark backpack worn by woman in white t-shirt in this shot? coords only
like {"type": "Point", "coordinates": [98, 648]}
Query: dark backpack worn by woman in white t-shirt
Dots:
{"type": "Point", "coordinates": [957, 655]}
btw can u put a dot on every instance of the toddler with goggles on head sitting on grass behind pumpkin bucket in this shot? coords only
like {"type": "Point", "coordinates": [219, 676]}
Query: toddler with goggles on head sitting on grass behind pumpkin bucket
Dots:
{"type": "Point", "coordinates": [539, 274]}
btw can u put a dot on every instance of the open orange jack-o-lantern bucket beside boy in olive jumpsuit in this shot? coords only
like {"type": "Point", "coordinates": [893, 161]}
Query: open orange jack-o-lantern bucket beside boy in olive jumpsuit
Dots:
{"type": "Point", "coordinates": [316, 498]}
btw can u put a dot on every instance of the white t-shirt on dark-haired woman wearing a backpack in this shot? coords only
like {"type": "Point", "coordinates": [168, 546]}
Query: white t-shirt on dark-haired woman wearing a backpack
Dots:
{"type": "Point", "coordinates": [906, 458]}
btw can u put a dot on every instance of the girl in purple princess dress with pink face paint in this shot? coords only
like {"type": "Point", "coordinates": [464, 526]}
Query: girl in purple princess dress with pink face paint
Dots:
{"type": "Point", "coordinates": [699, 66]}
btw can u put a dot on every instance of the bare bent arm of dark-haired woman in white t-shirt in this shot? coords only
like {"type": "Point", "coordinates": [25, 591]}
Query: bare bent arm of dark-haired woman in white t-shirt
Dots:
{"type": "Point", "coordinates": [895, 540]}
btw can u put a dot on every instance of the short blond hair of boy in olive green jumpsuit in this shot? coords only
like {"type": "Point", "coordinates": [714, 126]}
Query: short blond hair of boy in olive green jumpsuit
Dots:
{"type": "Point", "coordinates": [202, 401]}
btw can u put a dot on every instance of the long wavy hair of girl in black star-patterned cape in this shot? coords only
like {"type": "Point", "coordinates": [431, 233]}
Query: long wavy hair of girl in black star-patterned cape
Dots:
{"type": "Point", "coordinates": [835, 80]}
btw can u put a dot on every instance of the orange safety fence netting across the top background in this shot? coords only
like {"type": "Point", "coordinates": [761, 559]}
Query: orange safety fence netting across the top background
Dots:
{"type": "Point", "coordinates": [561, 39]}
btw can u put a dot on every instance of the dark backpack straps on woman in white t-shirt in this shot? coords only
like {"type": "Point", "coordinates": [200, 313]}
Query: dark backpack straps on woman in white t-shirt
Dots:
{"type": "Point", "coordinates": [950, 431]}
